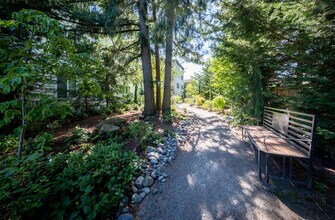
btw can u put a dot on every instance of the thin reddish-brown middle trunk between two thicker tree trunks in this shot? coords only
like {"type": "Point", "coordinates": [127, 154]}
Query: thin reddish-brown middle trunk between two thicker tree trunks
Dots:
{"type": "Point", "coordinates": [157, 61]}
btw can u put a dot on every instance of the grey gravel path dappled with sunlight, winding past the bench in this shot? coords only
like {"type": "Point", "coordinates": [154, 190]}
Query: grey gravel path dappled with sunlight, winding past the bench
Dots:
{"type": "Point", "coordinates": [213, 177]}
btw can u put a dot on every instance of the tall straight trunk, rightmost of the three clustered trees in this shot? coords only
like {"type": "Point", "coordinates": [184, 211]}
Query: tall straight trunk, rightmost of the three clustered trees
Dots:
{"type": "Point", "coordinates": [168, 57]}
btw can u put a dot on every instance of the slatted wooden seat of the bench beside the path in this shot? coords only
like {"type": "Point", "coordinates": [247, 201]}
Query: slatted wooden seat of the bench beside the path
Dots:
{"type": "Point", "coordinates": [268, 142]}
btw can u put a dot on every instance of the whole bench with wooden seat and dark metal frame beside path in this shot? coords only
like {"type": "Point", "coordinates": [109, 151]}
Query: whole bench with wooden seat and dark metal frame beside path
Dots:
{"type": "Point", "coordinates": [285, 133]}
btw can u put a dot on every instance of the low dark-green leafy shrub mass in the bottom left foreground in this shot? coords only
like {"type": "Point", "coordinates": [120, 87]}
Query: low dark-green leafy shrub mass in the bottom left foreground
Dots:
{"type": "Point", "coordinates": [69, 186]}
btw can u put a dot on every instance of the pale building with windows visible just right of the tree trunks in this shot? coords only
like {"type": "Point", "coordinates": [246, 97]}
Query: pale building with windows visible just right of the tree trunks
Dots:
{"type": "Point", "coordinates": [177, 82]}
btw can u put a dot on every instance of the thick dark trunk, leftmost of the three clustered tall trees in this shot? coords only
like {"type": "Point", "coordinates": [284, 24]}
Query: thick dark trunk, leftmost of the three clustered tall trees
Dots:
{"type": "Point", "coordinates": [149, 104]}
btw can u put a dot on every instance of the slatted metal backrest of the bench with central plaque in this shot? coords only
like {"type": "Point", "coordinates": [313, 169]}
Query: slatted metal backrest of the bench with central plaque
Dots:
{"type": "Point", "coordinates": [292, 125]}
